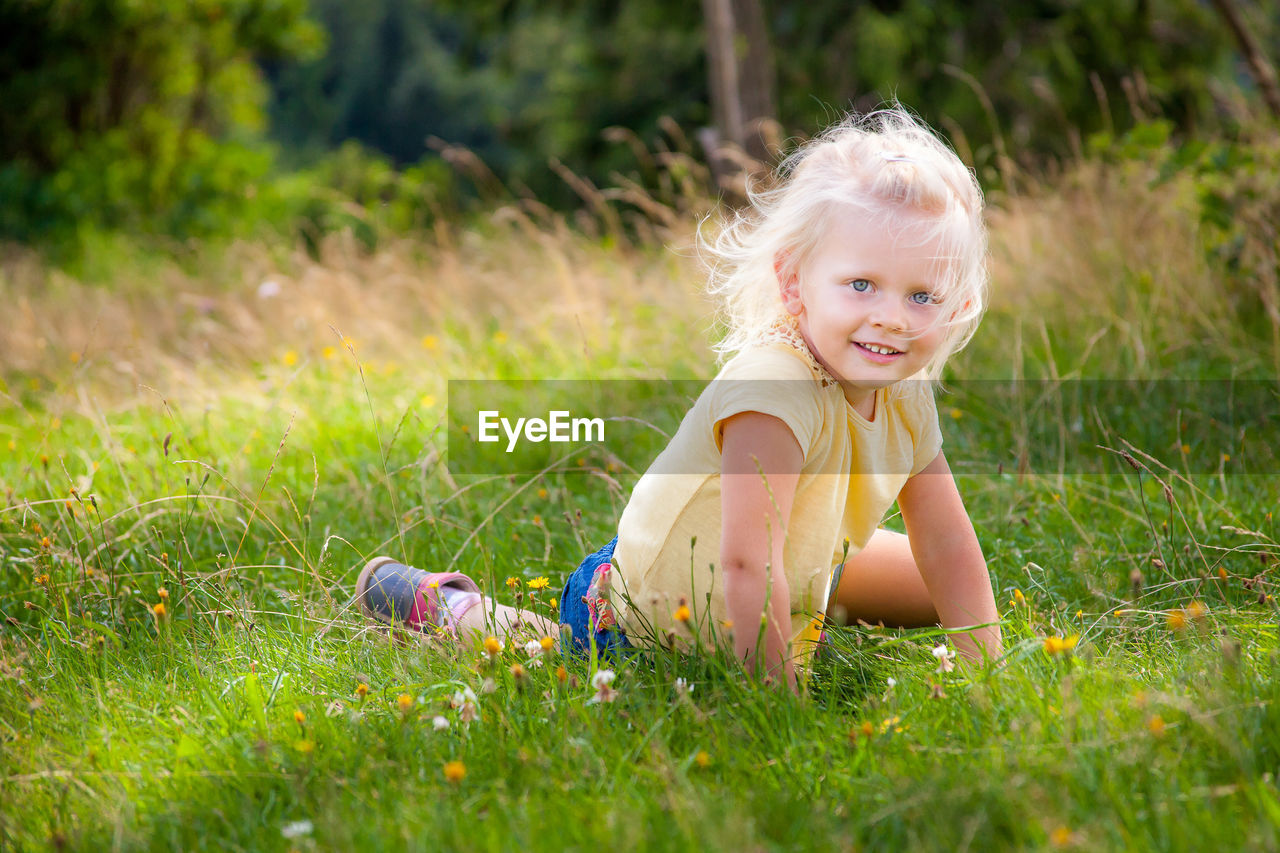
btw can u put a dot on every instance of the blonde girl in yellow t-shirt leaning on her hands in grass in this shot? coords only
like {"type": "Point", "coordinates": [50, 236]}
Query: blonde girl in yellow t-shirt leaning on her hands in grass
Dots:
{"type": "Point", "coordinates": [845, 289]}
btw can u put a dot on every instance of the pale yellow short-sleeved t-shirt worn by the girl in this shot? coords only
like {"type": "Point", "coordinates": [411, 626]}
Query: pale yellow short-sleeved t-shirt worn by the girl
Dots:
{"type": "Point", "coordinates": [670, 533]}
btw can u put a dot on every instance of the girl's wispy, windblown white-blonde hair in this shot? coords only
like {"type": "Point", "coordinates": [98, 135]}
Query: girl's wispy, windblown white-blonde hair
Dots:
{"type": "Point", "coordinates": [880, 166]}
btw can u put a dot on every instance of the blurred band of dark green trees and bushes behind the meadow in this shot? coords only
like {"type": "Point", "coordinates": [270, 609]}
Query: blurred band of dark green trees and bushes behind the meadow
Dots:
{"type": "Point", "coordinates": [236, 118]}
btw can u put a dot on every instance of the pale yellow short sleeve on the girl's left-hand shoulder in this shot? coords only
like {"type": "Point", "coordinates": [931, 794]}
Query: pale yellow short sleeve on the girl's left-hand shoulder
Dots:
{"type": "Point", "coordinates": [771, 382]}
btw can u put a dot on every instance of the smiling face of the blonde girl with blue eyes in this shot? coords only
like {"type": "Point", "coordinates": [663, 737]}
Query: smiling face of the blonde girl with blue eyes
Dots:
{"type": "Point", "coordinates": [865, 304]}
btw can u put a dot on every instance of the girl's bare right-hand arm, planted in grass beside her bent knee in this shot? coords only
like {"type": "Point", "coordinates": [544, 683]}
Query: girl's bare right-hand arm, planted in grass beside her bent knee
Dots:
{"type": "Point", "coordinates": [950, 559]}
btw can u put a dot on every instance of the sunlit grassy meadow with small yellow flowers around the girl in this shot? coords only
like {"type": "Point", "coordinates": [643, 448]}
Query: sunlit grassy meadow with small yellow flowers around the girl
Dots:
{"type": "Point", "coordinates": [198, 458]}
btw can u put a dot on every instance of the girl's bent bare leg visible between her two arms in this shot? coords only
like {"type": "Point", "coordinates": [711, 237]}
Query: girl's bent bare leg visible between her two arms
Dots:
{"type": "Point", "coordinates": [883, 585]}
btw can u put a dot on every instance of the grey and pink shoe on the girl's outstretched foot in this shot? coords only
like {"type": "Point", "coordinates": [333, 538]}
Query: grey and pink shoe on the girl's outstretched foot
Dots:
{"type": "Point", "coordinates": [399, 595]}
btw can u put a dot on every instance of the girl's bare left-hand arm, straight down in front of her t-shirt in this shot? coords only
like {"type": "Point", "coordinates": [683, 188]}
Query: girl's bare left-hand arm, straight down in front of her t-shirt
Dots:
{"type": "Point", "coordinates": [753, 530]}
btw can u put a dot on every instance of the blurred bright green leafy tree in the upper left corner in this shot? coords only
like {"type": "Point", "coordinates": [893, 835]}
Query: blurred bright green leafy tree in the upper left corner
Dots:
{"type": "Point", "coordinates": [135, 113]}
